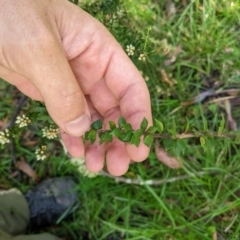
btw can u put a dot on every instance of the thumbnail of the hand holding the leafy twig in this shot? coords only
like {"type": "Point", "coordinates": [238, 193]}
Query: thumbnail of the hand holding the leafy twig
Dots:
{"type": "Point", "coordinates": [78, 126]}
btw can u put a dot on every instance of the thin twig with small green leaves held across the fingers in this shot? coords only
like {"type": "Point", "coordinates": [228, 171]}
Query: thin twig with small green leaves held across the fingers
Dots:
{"type": "Point", "coordinates": [125, 133]}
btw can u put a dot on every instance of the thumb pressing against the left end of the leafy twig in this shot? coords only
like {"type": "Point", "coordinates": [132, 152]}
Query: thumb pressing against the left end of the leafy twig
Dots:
{"type": "Point", "coordinates": [52, 76]}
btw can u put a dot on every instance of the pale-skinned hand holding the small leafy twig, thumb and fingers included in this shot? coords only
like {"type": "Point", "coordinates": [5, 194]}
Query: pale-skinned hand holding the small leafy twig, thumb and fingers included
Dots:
{"type": "Point", "coordinates": [54, 52]}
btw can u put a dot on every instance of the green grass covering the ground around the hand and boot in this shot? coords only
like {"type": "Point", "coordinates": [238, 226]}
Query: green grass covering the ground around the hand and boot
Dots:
{"type": "Point", "coordinates": [199, 207]}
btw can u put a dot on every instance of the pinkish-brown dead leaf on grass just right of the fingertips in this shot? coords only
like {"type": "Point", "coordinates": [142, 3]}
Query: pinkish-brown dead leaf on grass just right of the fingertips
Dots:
{"type": "Point", "coordinates": [165, 158]}
